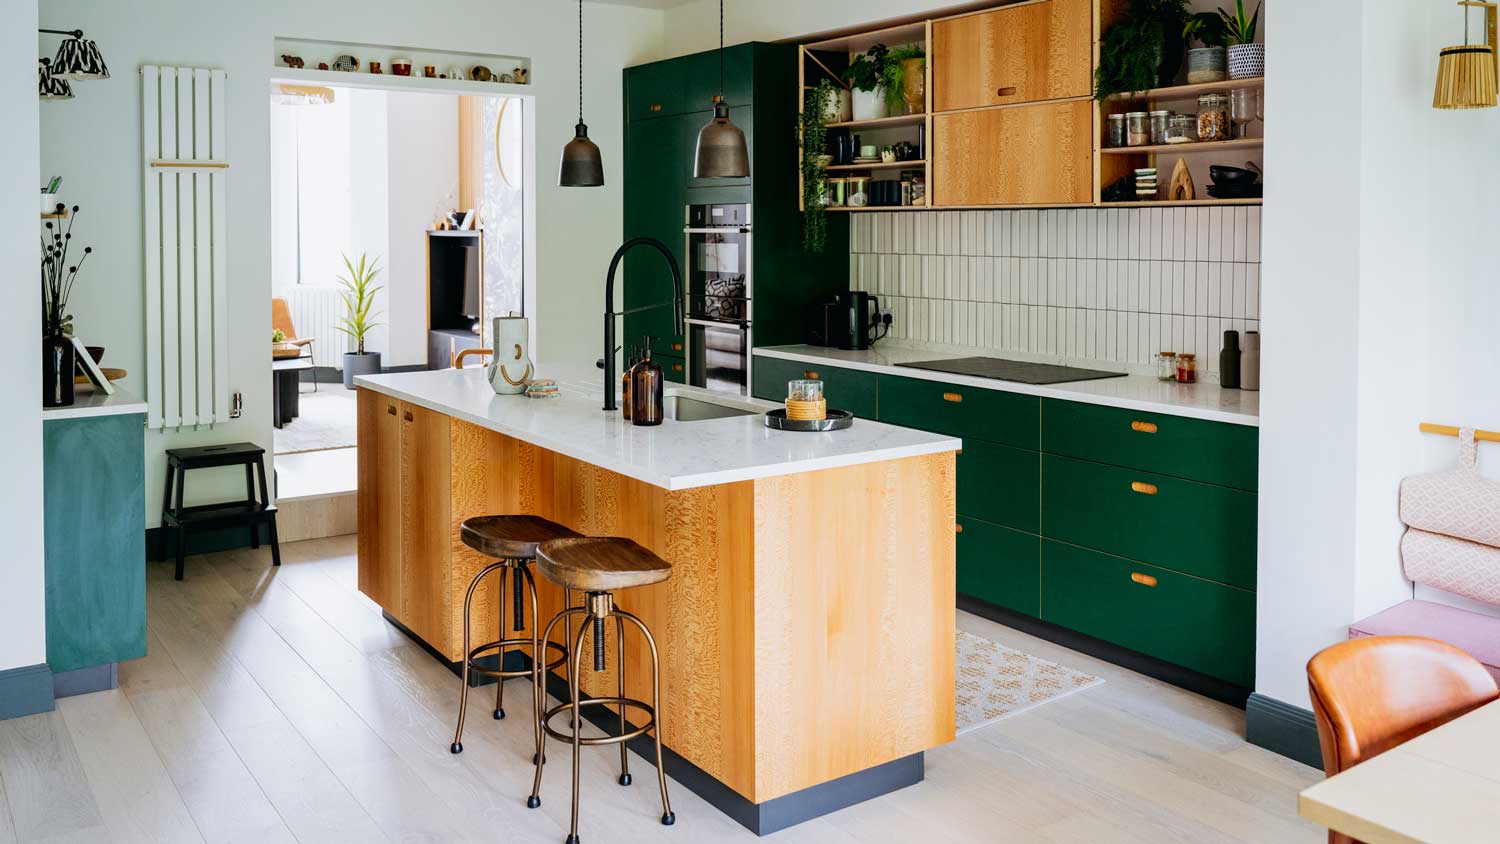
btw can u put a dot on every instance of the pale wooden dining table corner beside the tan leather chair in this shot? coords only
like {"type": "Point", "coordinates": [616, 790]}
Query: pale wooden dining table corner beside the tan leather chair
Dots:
{"type": "Point", "coordinates": [1441, 788]}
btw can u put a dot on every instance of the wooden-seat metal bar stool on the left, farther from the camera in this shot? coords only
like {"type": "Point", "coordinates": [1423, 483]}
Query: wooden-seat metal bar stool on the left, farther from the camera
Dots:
{"type": "Point", "coordinates": [514, 542]}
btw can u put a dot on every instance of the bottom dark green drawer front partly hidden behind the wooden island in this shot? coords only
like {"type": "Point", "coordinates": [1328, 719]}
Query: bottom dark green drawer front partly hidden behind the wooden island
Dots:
{"type": "Point", "coordinates": [1000, 566]}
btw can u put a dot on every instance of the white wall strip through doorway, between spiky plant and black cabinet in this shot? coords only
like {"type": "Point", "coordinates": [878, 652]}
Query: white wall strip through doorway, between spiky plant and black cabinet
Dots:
{"type": "Point", "coordinates": [424, 172]}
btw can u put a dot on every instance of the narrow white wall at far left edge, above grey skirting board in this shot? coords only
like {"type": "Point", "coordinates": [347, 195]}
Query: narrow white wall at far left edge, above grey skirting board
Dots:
{"type": "Point", "coordinates": [23, 630]}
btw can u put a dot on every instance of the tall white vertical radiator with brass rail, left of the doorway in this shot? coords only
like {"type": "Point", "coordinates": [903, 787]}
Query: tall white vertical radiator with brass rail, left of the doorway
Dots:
{"type": "Point", "coordinates": [187, 269]}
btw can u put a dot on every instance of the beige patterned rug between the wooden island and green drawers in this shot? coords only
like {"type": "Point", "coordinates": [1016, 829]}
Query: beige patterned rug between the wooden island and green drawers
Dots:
{"type": "Point", "coordinates": [997, 681]}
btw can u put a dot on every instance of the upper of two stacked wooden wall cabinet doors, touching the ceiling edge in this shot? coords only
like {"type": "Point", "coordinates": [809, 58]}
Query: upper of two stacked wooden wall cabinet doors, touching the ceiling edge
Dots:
{"type": "Point", "coordinates": [1028, 53]}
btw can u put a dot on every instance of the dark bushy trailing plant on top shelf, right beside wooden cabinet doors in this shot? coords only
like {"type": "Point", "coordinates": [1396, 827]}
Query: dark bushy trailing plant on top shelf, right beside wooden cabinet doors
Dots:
{"type": "Point", "coordinates": [1144, 50]}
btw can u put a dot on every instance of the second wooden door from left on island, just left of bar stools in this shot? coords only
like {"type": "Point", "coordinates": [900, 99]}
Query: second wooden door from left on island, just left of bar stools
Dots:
{"type": "Point", "coordinates": [425, 525]}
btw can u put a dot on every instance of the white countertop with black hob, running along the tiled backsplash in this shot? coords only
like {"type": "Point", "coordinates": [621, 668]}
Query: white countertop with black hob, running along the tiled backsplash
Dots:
{"type": "Point", "coordinates": [1133, 392]}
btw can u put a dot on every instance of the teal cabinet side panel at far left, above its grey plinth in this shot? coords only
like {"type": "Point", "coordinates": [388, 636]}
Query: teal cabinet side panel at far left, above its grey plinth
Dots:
{"type": "Point", "coordinates": [94, 498]}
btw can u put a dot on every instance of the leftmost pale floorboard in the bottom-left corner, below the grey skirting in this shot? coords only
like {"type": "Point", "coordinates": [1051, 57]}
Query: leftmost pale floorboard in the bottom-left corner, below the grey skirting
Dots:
{"type": "Point", "coordinates": [46, 785]}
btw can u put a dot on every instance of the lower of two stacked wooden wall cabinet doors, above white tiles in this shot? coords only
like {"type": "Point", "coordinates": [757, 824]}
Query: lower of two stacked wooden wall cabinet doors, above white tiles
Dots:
{"type": "Point", "coordinates": [1015, 157]}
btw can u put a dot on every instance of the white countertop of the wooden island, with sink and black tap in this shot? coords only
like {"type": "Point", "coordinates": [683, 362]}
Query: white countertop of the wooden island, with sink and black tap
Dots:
{"type": "Point", "coordinates": [676, 455]}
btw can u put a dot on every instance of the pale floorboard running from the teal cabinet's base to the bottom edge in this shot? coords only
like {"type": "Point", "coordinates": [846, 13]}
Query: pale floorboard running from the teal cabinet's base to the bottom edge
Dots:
{"type": "Point", "coordinates": [136, 797]}
